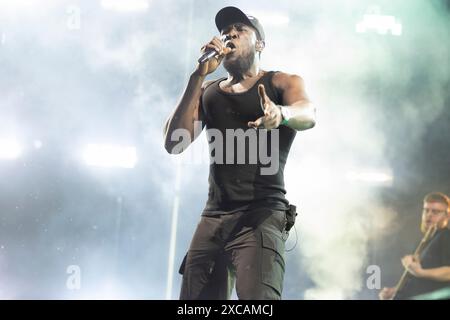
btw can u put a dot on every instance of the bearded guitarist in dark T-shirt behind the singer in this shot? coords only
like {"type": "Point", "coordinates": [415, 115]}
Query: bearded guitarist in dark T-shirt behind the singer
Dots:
{"type": "Point", "coordinates": [432, 271]}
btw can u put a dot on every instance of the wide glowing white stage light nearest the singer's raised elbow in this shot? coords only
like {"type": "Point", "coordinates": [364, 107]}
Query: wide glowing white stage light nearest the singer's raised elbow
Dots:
{"type": "Point", "coordinates": [110, 156]}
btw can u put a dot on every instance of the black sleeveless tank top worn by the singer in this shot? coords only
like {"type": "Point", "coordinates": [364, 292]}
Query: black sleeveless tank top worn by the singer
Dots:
{"type": "Point", "coordinates": [235, 186]}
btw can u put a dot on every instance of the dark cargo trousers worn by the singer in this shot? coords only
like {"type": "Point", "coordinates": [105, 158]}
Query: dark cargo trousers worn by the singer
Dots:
{"type": "Point", "coordinates": [244, 247]}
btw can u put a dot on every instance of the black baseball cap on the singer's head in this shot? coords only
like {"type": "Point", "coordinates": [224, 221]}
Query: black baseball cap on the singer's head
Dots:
{"type": "Point", "coordinates": [229, 15]}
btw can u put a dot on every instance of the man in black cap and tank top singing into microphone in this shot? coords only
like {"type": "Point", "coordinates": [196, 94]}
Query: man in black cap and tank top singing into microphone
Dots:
{"type": "Point", "coordinates": [240, 236]}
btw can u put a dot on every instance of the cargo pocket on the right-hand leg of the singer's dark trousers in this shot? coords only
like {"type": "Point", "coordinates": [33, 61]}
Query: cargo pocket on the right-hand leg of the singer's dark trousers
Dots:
{"type": "Point", "coordinates": [273, 265]}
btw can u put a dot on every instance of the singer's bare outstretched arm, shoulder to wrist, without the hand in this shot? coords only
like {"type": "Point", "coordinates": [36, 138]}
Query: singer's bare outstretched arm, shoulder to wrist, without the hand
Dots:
{"type": "Point", "coordinates": [303, 112]}
